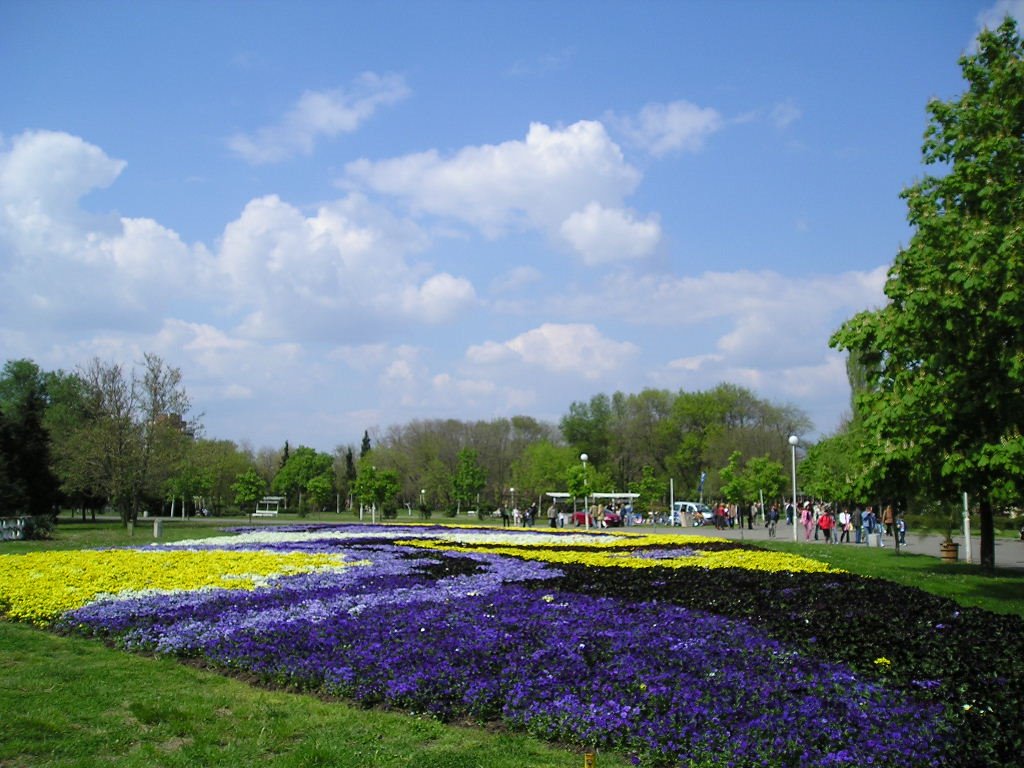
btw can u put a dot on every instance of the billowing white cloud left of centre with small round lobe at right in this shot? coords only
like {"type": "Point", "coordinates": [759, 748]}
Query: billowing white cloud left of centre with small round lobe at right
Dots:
{"type": "Point", "coordinates": [333, 274]}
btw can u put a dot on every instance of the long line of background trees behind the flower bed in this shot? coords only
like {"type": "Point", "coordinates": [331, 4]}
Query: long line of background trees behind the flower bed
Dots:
{"type": "Point", "coordinates": [107, 437]}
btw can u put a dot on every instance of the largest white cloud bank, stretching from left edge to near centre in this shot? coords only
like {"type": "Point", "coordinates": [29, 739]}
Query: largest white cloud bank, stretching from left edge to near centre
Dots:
{"type": "Point", "coordinates": [342, 272]}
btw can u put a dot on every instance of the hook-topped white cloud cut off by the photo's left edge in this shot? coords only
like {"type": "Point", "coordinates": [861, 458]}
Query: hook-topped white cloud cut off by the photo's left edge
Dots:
{"type": "Point", "coordinates": [66, 266]}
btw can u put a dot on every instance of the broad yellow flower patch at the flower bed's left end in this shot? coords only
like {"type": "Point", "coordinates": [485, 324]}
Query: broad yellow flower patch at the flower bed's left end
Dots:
{"type": "Point", "coordinates": [39, 587]}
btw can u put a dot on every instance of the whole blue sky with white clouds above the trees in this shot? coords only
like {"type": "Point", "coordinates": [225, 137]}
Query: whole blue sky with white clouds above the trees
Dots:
{"type": "Point", "coordinates": [344, 217]}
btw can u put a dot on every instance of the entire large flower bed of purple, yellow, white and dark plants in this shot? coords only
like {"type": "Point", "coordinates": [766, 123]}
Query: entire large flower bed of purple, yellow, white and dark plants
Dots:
{"type": "Point", "coordinates": [677, 650]}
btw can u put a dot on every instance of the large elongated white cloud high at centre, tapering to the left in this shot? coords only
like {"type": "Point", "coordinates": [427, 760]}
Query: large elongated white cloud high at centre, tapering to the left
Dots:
{"type": "Point", "coordinates": [537, 183]}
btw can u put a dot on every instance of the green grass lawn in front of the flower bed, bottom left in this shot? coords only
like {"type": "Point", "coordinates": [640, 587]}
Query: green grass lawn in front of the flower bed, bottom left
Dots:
{"type": "Point", "coordinates": [69, 702]}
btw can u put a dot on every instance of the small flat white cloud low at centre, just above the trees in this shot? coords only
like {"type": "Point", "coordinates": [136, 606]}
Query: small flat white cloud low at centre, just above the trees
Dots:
{"type": "Point", "coordinates": [559, 349]}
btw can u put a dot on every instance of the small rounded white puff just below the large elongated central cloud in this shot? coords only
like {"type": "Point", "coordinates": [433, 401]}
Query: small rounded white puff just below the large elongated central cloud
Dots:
{"type": "Point", "coordinates": [605, 236]}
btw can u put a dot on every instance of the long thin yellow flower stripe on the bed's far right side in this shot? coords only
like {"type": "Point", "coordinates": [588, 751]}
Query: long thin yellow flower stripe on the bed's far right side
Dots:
{"type": "Point", "coordinates": [735, 559]}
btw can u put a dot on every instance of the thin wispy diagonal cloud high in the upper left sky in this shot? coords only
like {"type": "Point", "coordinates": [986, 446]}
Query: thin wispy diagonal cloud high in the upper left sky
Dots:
{"type": "Point", "coordinates": [320, 114]}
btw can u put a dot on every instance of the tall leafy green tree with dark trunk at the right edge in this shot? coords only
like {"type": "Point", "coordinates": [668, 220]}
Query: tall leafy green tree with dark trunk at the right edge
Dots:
{"type": "Point", "coordinates": [945, 358]}
